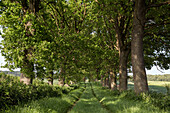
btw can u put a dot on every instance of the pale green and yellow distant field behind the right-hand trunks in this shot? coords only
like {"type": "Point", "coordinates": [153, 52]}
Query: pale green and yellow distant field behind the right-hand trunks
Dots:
{"type": "Point", "coordinates": [158, 86]}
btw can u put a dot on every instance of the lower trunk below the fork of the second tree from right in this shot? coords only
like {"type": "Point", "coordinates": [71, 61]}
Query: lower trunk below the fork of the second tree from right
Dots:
{"type": "Point", "coordinates": [123, 58]}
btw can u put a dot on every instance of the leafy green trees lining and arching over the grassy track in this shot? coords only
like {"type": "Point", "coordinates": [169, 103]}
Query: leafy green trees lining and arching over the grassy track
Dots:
{"type": "Point", "coordinates": [86, 38]}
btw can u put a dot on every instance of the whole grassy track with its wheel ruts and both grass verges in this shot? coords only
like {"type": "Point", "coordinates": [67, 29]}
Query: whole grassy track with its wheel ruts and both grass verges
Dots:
{"type": "Point", "coordinates": [89, 98]}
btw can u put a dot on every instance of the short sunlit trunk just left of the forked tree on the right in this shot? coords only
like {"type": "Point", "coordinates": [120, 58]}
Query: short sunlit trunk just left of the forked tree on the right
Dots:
{"type": "Point", "coordinates": [113, 81]}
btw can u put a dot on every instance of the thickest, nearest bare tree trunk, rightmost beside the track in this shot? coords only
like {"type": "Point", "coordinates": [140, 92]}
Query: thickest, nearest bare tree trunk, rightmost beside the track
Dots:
{"type": "Point", "coordinates": [139, 74]}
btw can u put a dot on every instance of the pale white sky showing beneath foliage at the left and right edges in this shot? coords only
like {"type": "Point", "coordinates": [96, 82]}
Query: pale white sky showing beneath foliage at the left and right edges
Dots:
{"type": "Point", "coordinates": [153, 71]}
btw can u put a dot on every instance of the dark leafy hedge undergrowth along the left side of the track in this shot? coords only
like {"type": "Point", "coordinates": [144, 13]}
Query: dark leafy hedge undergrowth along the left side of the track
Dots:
{"type": "Point", "coordinates": [13, 92]}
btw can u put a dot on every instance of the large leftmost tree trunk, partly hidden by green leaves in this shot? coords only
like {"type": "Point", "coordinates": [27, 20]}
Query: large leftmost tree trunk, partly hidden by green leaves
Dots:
{"type": "Point", "coordinates": [31, 6]}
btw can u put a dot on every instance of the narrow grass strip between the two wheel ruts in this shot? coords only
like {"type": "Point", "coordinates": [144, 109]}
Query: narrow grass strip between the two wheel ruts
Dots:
{"type": "Point", "coordinates": [88, 103]}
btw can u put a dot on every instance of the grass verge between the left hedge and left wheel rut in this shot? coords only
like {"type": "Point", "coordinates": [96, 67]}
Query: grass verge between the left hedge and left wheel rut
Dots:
{"type": "Point", "coordinates": [49, 105]}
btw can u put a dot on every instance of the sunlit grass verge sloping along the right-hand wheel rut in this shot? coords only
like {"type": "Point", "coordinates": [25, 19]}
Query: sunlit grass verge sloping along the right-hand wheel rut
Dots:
{"type": "Point", "coordinates": [120, 104]}
